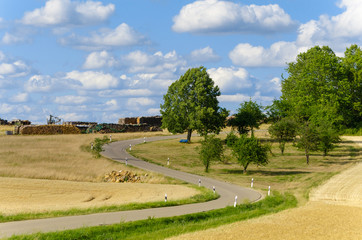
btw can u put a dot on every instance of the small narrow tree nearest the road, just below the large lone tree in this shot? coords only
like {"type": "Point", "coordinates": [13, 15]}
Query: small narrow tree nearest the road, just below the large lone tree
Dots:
{"type": "Point", "coordinates": [211, 150]}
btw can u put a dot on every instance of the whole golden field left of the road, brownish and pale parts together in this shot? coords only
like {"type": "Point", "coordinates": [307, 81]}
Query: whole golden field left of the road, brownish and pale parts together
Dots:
{"type": "Point", "coordinates": [58, 172]}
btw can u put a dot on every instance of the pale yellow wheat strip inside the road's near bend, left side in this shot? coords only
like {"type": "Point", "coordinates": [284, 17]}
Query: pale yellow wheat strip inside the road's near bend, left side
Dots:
{"type": "Point", "coordinates": [20, 195]}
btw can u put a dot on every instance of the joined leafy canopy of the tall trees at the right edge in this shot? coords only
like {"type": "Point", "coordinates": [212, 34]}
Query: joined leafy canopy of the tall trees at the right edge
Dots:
{"type": "Point", "coordinates": [319, 79]}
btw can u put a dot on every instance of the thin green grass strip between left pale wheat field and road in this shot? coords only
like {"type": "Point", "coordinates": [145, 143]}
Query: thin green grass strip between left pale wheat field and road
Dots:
{"type": "Point", "coordinates": [204, 196]}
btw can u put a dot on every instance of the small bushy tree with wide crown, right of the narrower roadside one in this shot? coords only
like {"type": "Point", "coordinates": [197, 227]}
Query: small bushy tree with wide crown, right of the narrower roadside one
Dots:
{"type": "Point", "coordinates": [250, 150]}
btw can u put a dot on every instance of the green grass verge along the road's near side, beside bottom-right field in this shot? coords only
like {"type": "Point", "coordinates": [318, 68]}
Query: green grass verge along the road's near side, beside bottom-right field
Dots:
{"type": "Point", "coordinates": [166, 227]}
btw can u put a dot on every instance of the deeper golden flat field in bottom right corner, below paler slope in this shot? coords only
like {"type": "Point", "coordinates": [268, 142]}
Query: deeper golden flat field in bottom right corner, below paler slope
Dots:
{"type": "Point", "coordinates": [316, 220]}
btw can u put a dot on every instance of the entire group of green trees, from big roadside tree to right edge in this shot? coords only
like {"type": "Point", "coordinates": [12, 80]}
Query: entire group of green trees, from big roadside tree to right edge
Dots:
{"type": "Point", "coordinates": [321, 95]}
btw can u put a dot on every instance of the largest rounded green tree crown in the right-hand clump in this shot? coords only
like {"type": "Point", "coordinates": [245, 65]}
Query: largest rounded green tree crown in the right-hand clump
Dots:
{"type": "Point", "coordinates": [313, 80]}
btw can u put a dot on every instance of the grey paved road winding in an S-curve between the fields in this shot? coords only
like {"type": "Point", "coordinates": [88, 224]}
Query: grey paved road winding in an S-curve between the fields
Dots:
{"type": "Point", "coordinates": [117, 152]}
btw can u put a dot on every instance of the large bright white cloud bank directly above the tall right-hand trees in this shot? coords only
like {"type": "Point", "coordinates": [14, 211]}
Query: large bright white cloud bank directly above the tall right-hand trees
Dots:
{"type": "Point", "coordinates": [338, 32]}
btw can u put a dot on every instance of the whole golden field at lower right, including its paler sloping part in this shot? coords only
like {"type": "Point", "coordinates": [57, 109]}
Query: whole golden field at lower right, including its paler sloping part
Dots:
{"type": "Point", "coordinates": [334, 212]}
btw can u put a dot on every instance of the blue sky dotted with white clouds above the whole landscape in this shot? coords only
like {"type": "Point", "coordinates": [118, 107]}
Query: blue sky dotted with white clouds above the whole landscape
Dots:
{"type": "Point", "coordinates": [103, 60]}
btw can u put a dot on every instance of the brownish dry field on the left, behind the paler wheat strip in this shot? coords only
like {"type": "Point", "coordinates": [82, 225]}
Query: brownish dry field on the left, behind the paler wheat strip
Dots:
{"type": "Point", "coordinates": [61, 157]}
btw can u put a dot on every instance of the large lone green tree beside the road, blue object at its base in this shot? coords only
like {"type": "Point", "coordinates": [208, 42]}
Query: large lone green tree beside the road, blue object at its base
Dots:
{"type": "Point", "coordinates": [191, 104]}
